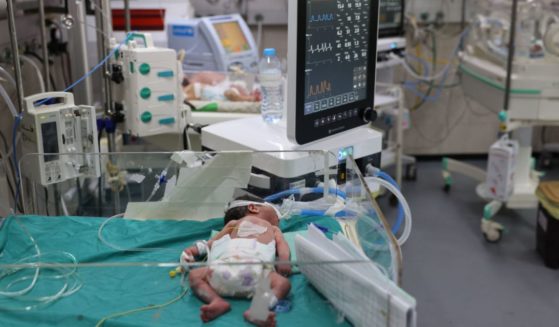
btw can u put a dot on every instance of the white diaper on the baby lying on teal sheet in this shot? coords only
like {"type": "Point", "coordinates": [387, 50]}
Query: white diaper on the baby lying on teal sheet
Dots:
{"type": "Point", "coordinates": [238, 280]}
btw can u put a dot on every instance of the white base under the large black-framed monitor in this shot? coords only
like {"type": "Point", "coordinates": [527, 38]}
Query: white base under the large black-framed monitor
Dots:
{"type": "Point", "coordinates": [253, 134]}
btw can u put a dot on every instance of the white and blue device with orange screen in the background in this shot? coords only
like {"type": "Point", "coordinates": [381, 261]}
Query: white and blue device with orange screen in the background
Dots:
{"type": "Point", "coordinates": [218, 43]}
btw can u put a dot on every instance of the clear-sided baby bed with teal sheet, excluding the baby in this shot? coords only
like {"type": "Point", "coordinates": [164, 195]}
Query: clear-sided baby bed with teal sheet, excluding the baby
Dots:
{"type": "Point", "coordinates": [105, 251]}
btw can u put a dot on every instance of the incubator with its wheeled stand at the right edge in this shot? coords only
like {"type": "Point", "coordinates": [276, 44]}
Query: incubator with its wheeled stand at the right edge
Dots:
{"type": "Point", "coordinates": [527, 81]}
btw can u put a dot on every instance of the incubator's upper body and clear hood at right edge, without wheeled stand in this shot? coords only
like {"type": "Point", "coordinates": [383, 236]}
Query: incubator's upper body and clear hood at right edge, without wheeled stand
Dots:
{"type": "Point", "coordinates": [536, 59]}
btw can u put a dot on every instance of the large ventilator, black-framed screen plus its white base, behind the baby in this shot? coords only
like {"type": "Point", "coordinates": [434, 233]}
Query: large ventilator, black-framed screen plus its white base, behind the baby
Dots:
{"type": "Point", "coordinates": [330, 93]}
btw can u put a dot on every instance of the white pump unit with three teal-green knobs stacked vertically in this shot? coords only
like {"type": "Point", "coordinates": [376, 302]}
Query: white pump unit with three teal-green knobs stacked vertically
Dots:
{"type": "Point", "coordinates": [147, 87]}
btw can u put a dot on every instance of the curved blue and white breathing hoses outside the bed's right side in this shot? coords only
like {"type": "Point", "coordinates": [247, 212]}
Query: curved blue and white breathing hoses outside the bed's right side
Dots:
{"type": "Point", "coordinates": [404, 212]}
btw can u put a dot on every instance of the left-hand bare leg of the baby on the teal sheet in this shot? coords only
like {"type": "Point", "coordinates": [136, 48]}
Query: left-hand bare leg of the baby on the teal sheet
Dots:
{"type": "Point", "coordinates": [216, 306]}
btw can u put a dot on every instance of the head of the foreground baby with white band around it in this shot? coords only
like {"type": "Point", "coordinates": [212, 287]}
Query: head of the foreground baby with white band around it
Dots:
{"type": "Point", "coordinates": [249, 205]}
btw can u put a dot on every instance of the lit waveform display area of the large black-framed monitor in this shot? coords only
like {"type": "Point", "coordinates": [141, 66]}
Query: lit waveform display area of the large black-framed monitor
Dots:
{"type": "Point", "coordinates": [336, 60]}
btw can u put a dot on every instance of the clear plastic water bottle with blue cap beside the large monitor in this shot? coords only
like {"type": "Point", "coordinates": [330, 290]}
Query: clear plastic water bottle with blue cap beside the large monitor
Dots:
{"type": "Point", "coordinates": [271, 83]}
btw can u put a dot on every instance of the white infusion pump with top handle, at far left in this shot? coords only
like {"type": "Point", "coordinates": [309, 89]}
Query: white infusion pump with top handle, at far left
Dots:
{"type": "Point", "coordinates": [56, 131]}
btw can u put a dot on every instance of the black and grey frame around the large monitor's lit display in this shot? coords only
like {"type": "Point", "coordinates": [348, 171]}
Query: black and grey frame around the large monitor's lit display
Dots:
{"type": "Point", "coordinates": [300, 127]}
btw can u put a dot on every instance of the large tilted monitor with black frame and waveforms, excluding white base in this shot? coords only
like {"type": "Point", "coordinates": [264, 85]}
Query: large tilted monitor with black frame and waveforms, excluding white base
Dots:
{"type": "Point", "coordinates": [332, 61]}
